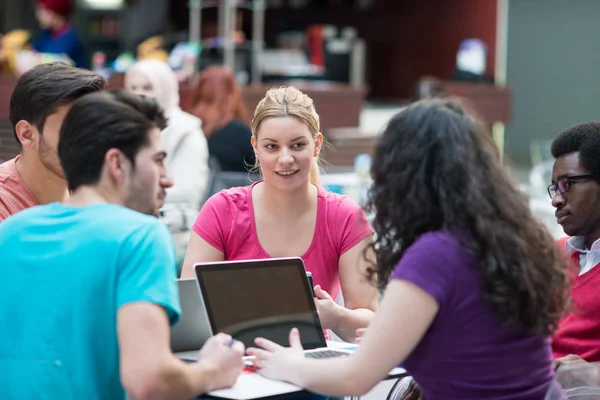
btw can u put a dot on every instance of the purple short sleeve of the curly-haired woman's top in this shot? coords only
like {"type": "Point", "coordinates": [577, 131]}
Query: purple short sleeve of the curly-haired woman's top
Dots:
{"type": "Point", "coordinates": [432, 263]}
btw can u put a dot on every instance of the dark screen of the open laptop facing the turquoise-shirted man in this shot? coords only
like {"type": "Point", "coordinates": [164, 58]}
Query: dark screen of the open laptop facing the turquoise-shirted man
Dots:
{"type": "Point", "coordinates": [265, 298]}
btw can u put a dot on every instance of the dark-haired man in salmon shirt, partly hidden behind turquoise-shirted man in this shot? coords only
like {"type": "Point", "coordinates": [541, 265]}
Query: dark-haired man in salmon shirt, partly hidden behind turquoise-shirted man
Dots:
{"type": "Point", "coordinates": [38, 104]}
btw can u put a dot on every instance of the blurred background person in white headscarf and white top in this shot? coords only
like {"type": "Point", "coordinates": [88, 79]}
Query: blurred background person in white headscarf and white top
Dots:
{"type": "Point", "coordinates": [185, 143]}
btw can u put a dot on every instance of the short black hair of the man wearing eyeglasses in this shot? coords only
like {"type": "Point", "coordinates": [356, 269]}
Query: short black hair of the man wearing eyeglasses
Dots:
{"type": "Point", "coordinates": [583, 138]}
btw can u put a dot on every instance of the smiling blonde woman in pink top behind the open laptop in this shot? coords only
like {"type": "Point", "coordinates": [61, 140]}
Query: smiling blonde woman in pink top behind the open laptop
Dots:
{"type": "Point", "coordinates": [288, 214]}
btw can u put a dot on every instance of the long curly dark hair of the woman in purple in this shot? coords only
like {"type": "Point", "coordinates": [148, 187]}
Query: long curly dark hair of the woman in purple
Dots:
{"type": "Point", "coordinates": [436, 168]}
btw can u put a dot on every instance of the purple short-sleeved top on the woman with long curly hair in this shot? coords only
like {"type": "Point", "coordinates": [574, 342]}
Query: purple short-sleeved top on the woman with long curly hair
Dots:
{"type": "Point", "coordinates": [466, 353]}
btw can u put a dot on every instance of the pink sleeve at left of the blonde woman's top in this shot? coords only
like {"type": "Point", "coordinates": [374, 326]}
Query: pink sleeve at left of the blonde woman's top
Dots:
{"type": "Point", "coordinates": [214, 221]}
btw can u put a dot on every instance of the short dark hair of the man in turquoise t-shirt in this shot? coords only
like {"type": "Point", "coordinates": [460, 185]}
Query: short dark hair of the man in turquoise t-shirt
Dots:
{"type": "Point", "coordinates": [102, 121]}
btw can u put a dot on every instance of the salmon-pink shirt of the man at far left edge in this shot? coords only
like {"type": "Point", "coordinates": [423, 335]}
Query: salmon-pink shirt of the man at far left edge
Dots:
{"type": "Point", "coordinates": [15, 196]}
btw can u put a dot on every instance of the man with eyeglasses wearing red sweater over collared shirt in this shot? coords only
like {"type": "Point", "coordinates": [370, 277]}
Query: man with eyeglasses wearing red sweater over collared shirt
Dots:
{"type": "Point", "coordinates": [575, 193]}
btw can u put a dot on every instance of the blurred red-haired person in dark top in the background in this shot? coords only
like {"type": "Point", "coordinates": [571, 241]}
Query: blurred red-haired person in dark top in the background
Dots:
{"type": "Point", "coordinates": [217, 101]}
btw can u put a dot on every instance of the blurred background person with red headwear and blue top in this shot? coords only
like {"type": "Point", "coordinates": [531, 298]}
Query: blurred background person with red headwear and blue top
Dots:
{"type": "Point", "coordinates": [57, 36]}
